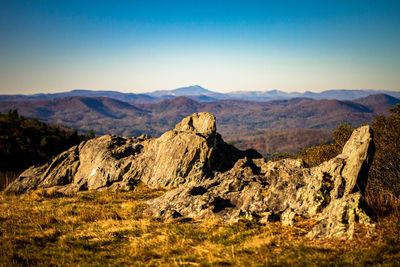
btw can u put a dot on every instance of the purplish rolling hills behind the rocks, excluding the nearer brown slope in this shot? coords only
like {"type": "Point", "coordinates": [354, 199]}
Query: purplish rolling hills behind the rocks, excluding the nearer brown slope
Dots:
{"type": "Point", "coordinates": [107, 115]}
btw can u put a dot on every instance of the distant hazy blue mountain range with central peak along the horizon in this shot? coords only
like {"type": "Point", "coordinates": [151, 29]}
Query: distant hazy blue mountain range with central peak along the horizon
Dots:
{"type": "Point", "coordinates": [201, 94]}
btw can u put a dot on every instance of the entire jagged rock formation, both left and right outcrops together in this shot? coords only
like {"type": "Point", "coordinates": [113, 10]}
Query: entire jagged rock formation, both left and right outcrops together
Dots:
{"type": "Point", "coordinates": [214, 179]}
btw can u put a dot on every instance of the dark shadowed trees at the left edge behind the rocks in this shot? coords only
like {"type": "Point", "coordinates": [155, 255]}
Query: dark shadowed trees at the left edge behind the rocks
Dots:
{"type": "Point", "coordinates": [25, 142]}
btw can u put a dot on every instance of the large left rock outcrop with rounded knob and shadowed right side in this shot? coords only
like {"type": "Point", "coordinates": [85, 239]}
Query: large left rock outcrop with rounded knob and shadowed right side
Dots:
{"type": "Point", "coordinates": [190, 153]}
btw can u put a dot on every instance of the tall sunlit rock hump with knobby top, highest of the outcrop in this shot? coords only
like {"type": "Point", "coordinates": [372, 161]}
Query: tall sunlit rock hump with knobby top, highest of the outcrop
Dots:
{"type": "Point", "coordinates": [181, 155]}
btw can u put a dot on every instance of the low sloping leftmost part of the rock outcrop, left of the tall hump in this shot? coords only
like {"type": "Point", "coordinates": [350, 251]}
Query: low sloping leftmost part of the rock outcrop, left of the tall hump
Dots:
{"type": "Point", "coordinates": [93, 165]}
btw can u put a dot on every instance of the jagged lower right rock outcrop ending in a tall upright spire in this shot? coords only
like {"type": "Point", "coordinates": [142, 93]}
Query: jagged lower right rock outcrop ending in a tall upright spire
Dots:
{"type": "Point", "coordinates": [280, 191]}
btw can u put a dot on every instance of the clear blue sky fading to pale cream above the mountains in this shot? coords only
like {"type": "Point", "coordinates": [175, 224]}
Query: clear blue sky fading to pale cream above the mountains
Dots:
{"type": "Point", "coordinates": [142, 46]}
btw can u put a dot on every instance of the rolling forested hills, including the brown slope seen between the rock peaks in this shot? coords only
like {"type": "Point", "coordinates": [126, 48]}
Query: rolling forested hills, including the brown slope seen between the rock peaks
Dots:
{"type": "Point", "coordinates": [284, 125]}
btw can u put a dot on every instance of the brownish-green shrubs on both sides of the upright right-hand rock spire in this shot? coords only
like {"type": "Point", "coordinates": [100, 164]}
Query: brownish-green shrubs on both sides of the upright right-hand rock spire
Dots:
{"type": "Point", "coordinates": [383, 188]}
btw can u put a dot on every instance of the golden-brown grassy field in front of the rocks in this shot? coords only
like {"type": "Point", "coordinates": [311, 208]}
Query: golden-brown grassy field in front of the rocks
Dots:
{"type": "Point", "coordinates": [108, 228]}
